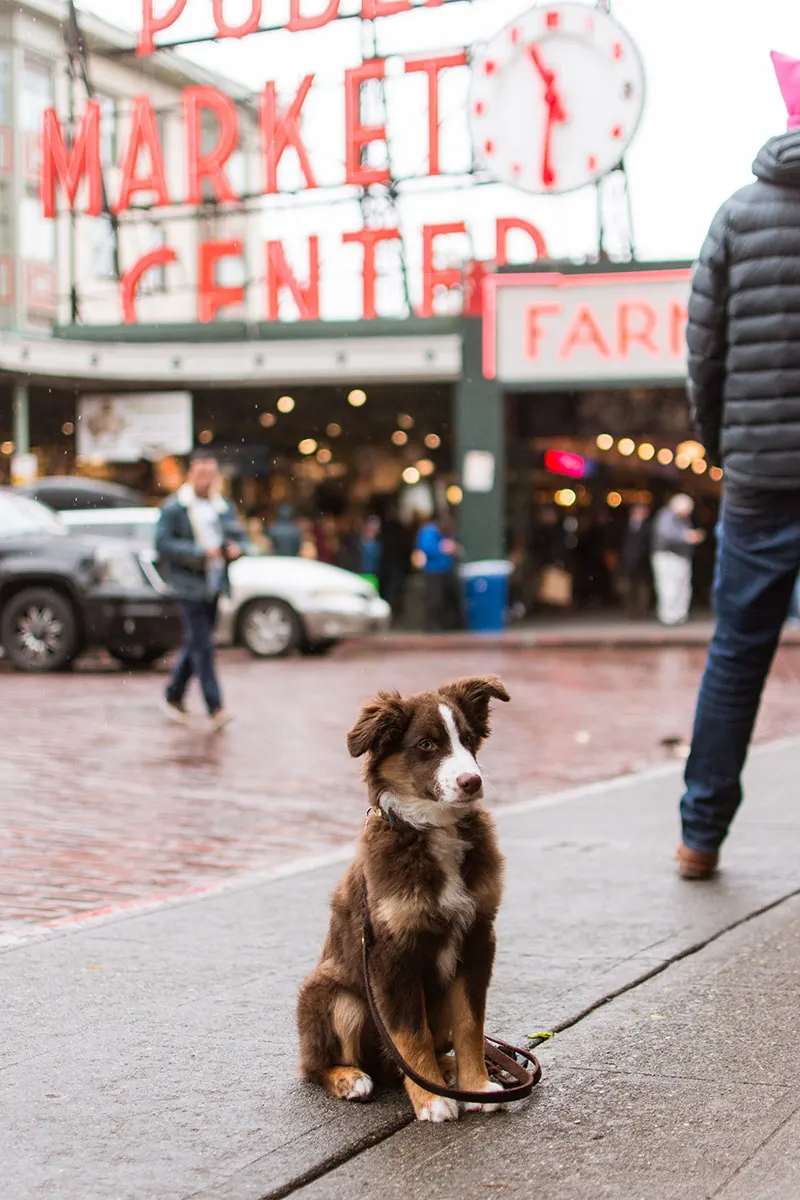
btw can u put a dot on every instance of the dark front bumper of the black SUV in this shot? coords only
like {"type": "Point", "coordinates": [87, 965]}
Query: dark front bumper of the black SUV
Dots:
{"type": "Point", "coordinates": [116, 619]}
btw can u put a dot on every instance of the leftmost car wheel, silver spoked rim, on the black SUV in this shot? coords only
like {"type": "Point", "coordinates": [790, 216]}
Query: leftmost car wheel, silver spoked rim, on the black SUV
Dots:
{"type": "Point", "coordinates": [40, 631]}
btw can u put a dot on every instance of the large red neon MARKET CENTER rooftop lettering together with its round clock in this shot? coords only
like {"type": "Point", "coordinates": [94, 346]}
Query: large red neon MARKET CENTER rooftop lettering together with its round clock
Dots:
{"type": "Point", "coordinates": [516, 71]}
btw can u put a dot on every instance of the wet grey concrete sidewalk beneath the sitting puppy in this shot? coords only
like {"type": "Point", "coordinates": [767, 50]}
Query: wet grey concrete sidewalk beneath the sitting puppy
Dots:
{"type": "Point", "coordinates": [153, 1057]}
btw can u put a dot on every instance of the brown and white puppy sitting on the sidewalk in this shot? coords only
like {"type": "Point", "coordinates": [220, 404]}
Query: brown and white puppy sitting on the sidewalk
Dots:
{"type": "Point", "coordinates": [435, 879]}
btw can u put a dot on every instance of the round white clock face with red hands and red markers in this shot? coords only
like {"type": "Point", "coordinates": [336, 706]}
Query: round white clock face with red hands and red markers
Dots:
{"type": "Point", "coordinates": [556, 99]}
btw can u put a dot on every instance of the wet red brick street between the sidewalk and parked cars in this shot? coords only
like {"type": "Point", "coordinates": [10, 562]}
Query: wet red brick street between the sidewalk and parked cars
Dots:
{"type": "Point", "coordinates": [103, 803]}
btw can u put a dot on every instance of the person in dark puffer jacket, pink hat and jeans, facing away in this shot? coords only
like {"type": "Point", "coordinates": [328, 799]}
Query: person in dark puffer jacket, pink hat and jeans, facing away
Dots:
{"type": "Point", "coordinates": [744, 369]}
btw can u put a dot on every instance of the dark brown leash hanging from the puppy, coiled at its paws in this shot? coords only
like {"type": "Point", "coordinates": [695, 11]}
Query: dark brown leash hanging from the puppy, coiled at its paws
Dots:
{"type": "Point", "coordinates": [504, 1063]}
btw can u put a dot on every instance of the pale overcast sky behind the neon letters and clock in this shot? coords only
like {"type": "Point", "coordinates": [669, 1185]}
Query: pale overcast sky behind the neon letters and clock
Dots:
{"type": "Point", "coordinates": [712, 101]}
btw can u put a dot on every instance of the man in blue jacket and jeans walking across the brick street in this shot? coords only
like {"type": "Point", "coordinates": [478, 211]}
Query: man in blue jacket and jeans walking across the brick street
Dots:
{"type": "Point", "coordinates": [197, 537]}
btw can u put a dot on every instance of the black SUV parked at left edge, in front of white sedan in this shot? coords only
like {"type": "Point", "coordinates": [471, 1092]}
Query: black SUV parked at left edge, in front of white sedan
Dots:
{"type": "Point", "coordinates": [62, 596]}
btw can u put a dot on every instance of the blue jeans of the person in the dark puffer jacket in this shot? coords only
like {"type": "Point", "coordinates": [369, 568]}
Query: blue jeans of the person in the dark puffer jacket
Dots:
{"type": "Point", "coordinates": [759, 557]}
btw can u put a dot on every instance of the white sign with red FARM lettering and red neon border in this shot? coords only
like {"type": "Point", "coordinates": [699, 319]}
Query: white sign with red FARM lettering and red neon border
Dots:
{"type": "Point", "coordinates": [556, 329]}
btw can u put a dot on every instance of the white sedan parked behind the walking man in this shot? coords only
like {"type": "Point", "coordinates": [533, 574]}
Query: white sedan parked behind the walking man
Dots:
{"type": "Point", "coordinates": [276, 605]}
